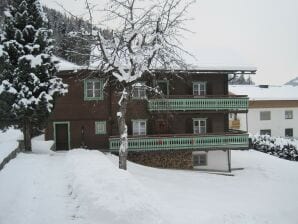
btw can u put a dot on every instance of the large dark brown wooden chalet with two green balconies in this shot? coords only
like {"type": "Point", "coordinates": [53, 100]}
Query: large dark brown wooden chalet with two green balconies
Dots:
{"type": "Point", "coordinates": [186, 128]}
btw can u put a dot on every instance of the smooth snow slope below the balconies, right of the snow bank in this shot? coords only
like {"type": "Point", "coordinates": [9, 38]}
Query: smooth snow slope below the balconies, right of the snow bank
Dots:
{"type": "Point", "coordinates": [265, 191]}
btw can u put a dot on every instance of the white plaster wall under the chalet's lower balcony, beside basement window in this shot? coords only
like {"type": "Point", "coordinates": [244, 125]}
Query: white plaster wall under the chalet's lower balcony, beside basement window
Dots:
{"type": "Point", "coordinates": [216, 160]}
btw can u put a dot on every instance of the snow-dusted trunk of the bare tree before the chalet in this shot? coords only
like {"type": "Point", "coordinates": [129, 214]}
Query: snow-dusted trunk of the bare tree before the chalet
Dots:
{"type": "Point", "coordinates": [122, 127]}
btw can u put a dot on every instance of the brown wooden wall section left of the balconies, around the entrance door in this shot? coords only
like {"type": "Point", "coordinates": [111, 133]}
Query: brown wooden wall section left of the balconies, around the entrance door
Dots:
{"type": "Point", "coordinates": [80, 114]}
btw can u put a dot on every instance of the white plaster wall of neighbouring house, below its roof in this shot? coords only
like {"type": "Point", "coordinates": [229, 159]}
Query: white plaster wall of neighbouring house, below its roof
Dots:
{"type": "Point", "coordinates": [277, 124]}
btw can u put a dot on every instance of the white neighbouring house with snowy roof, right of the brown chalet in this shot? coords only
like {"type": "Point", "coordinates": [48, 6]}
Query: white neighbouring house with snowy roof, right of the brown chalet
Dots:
{"type": "Point", "coordinates": [273, 110]}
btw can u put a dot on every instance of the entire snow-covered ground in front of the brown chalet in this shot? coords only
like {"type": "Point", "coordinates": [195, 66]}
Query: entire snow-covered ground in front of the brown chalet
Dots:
{"type": "Point", "coordinates": [86, 187]}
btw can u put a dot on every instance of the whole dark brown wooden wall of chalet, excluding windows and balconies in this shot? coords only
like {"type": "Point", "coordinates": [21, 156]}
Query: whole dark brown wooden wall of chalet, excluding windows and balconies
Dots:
{"type": "Point", "coordinates": [82, 114]}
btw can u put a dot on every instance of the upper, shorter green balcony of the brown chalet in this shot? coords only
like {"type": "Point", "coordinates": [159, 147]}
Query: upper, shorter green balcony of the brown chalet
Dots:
{"type": "Point", "coordinates": [199, 103]}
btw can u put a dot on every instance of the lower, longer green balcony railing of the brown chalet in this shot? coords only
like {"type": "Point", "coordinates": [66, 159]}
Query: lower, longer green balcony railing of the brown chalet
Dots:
{"type": "Point", "coordinates": [178, 142]}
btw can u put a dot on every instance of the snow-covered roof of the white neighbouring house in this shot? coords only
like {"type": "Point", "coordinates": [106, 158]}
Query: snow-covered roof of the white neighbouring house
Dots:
{"type": "Point", "coordinates": [264, 92]}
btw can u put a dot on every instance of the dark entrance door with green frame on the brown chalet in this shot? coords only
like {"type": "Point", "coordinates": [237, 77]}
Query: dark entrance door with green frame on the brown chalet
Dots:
{"type": "Point", "coordinates": [61, 136]}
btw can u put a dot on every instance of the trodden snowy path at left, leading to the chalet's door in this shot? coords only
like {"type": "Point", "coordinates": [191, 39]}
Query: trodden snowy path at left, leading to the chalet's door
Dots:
{"type": "Point", "coordinates": [37, 192]}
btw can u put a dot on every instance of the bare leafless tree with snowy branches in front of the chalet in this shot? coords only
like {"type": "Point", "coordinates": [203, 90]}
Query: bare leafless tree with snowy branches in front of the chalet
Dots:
{"type": "Point", "coordinates": [145, 36]}
